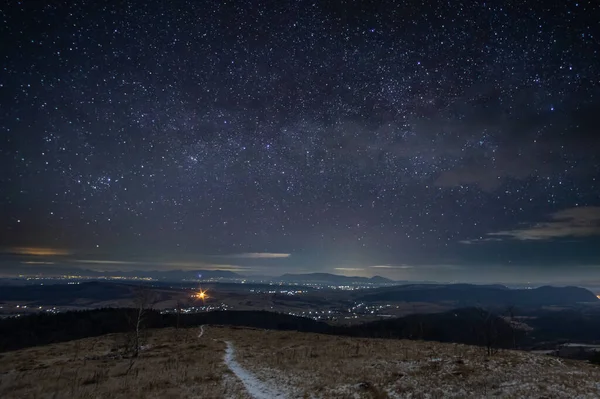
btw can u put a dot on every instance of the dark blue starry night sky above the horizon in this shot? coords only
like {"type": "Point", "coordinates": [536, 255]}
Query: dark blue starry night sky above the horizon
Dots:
{"type": "Point", "coordinates": [415, 139]}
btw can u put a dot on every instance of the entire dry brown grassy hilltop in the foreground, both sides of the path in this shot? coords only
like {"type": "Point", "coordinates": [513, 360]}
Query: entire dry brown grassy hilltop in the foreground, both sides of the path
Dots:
{"type": "Point", "coordinates": [178, 364]}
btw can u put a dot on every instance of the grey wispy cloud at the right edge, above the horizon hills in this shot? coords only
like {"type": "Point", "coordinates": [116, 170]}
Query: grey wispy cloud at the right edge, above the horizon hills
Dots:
{"type": "Point", "coordinates": [572, 222]}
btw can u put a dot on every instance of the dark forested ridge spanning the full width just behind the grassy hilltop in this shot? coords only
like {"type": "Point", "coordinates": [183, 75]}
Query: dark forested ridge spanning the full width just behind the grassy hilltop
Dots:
{"type": "Point", "coordinates": [469, 326]}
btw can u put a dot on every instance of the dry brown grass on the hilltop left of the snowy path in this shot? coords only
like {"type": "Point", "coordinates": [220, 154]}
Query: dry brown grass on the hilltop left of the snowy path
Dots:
{"type": "Point", "coordinates": [177, 365]}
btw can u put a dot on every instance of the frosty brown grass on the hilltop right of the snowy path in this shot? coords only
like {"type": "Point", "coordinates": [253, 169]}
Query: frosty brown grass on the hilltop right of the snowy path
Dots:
{"type": "Point", "coordinates": [339, 367]}
